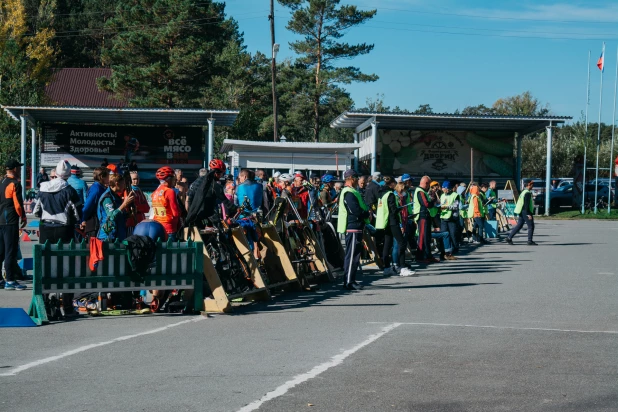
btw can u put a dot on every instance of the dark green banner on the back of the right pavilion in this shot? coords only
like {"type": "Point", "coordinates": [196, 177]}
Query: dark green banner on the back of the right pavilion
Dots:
{"type": "Point", "coordinates": [445, 153]}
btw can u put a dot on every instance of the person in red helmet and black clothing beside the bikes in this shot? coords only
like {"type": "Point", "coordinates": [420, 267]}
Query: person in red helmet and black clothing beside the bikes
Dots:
{"type": "Point", "coordinates": [208, 195]}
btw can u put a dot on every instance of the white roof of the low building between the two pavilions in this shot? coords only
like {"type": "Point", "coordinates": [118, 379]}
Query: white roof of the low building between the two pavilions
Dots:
{"type": "Point", "coordinates": [231, 144]}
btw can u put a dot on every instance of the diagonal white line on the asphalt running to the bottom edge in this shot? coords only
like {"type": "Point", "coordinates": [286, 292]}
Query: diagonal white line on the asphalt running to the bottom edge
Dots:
{"type": "Point", "coordinates": [323, 367]}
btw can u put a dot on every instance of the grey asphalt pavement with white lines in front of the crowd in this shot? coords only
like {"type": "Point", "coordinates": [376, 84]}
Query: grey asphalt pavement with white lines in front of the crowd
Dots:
{"type": "Point", "coordinates": [505, 328]}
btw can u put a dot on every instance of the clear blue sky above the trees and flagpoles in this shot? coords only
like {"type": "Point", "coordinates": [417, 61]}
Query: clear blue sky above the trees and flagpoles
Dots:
{"type": "Point", "coordinates": [498, 49]}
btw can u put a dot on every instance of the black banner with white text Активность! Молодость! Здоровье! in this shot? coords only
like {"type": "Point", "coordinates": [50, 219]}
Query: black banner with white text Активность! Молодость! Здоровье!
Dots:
{"type": "Point", "coordinates": [88, 146]}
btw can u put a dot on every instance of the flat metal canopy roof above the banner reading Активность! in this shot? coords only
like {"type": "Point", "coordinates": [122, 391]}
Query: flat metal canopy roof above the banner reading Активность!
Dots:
{"type": "Point", "coordinates": [81, 115]}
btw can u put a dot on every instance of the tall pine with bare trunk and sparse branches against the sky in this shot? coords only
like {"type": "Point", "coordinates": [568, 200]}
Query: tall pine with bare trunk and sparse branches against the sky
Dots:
{"type": "Point", "coordinates": [322, 23]}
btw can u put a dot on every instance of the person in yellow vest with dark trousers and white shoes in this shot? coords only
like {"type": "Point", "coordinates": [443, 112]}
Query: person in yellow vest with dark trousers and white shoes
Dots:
{"type": "Point", "coordinates": [389, 219]}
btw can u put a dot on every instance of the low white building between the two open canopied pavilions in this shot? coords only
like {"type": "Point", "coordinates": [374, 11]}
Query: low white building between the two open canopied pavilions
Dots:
{"type": "Point", "coordinates": [287, 157]}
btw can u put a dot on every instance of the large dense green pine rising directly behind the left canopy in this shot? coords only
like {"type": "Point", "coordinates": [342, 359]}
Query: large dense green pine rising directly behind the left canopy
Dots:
{"type": "Point", "coordinates": [165, 53]}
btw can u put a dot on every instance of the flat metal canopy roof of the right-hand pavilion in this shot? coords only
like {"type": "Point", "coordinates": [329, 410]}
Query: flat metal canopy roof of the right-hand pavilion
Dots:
{"type": "Point", "coordinates": [406, 121]}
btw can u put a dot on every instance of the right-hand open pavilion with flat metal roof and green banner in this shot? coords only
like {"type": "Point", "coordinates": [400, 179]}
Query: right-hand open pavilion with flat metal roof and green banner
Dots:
{"type": "Point", "coordinates": [443, 145]}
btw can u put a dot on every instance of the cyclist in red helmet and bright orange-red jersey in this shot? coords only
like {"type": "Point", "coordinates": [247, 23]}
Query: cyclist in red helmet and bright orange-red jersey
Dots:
{"type": "Point", "coordinates": [164, 202]}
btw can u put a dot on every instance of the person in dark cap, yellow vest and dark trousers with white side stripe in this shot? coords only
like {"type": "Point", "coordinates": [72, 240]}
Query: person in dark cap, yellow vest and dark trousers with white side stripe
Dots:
{"type": "Point", "coordinates": [353, 216]}
